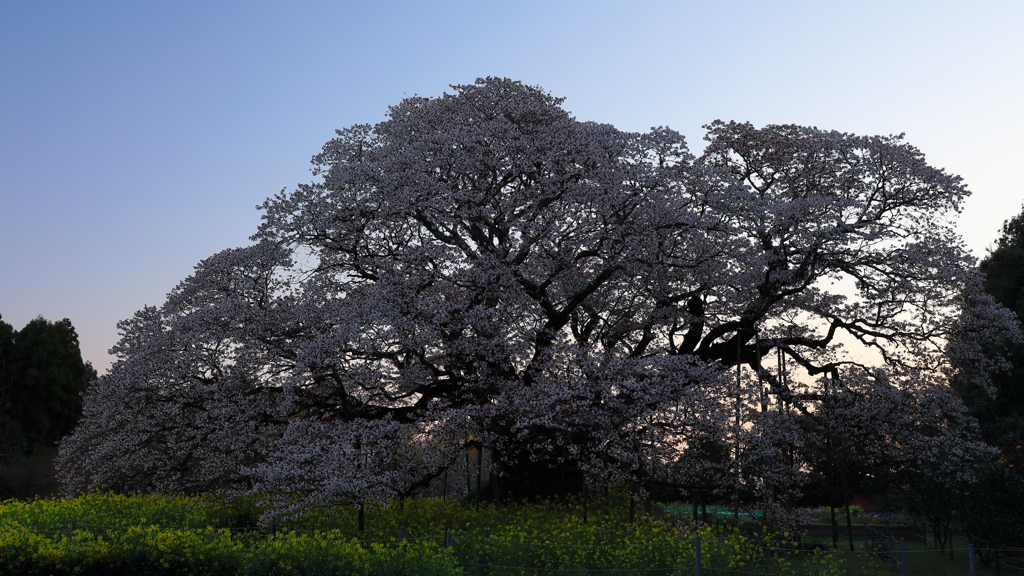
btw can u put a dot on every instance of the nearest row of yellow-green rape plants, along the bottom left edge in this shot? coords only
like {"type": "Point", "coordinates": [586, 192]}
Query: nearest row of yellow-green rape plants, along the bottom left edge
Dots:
{"type": "Point", "coordinates": [160, 552]}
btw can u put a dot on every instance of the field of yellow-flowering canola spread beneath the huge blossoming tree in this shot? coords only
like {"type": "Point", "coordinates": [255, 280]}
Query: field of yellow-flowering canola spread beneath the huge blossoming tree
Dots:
{"type": "Point", "coordinates": [112, 534]}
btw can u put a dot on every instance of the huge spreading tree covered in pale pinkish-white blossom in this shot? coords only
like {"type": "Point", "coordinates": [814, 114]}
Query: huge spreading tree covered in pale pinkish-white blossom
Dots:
{"type": "Point", "coordinates": [483, 269]}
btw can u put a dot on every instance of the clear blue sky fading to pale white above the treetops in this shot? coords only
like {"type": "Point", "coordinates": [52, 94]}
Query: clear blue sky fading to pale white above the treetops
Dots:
{"type": "Point", "coordinates": [137, 138]}
